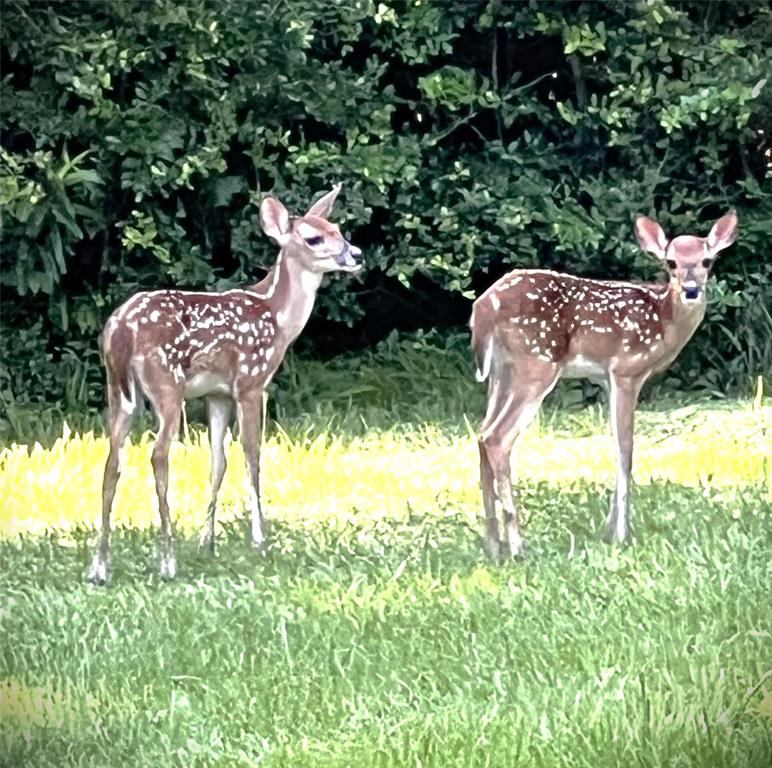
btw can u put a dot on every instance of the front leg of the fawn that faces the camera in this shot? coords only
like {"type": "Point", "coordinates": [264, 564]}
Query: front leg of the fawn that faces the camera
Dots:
{"type": "Point", "coordinates": [622, 402]}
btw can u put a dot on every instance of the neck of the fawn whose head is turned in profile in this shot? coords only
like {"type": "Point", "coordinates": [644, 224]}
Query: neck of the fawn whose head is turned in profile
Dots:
{"type": "Point", "coordinates": [289, 291]}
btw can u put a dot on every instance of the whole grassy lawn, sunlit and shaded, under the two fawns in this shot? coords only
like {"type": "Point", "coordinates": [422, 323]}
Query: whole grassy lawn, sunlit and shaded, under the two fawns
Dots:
{"type": "Point", "coordinates": [375, 632]}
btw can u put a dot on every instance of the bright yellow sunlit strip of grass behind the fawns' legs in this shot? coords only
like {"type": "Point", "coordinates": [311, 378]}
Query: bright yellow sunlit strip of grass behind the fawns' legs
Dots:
{"type": "Point", "coordinates": [320, 478]}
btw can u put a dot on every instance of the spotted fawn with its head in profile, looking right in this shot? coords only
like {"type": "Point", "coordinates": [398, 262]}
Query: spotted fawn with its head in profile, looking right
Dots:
{"type": "Point", "coordinates": [171, 345]}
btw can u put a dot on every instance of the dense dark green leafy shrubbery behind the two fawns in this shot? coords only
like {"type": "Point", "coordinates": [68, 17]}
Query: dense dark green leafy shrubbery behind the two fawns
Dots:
{"type": "Point", "coordinates": [470, 136]}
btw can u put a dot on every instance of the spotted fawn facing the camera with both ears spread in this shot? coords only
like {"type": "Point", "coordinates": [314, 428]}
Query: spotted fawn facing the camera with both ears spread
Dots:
{"type": "Point", "coordinates": [533, 327]}
